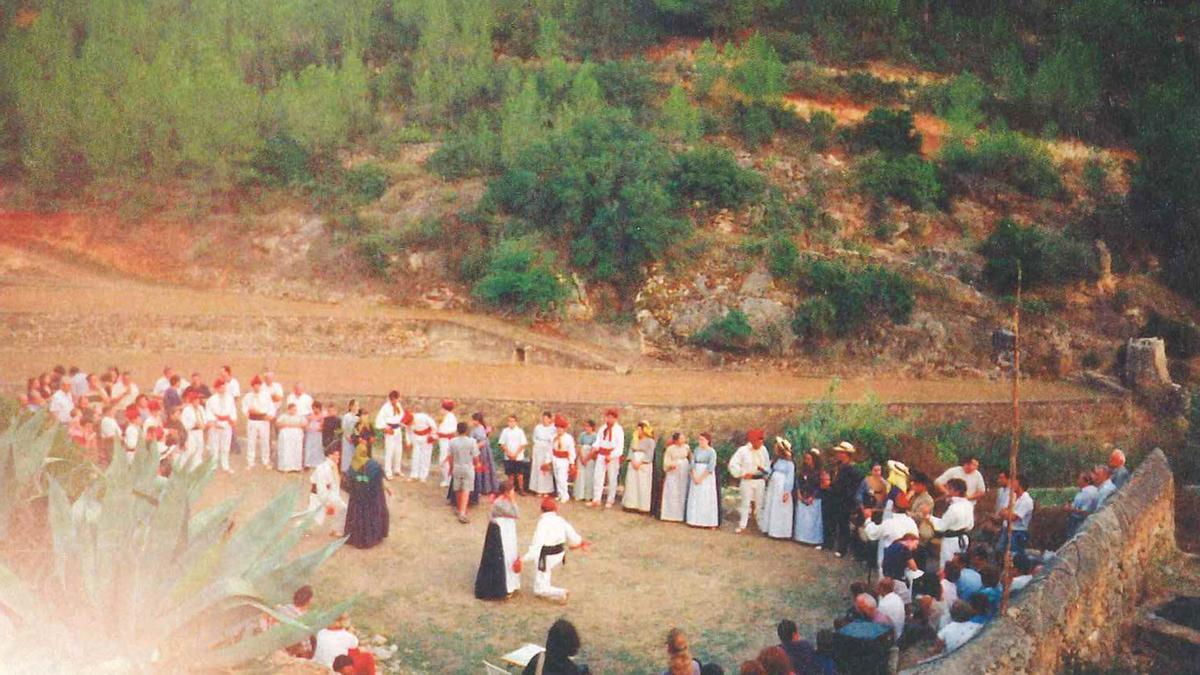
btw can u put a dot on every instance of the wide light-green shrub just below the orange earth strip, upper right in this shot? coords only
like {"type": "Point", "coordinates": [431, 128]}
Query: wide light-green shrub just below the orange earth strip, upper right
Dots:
{"type": "Point", "coordinates": [1006, 157]}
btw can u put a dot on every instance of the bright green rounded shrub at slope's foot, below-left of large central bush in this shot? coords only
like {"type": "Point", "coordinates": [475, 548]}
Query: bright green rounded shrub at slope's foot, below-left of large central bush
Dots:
{"type": "Point", "coordinates": [520, 277]}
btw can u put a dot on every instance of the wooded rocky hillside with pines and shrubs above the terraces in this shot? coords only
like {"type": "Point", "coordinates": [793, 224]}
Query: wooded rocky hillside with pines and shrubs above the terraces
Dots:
{"type": "Point", "coordinates": [832, 181]}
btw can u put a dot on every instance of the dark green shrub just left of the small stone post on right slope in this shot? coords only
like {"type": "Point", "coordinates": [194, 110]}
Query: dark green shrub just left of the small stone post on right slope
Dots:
{"type": "Point", "coordinates": [1043, 256]}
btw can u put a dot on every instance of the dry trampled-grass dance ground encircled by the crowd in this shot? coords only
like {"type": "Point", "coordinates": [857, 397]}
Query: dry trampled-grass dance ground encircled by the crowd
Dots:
{"type": "Point", "coordinates": [641, 578]}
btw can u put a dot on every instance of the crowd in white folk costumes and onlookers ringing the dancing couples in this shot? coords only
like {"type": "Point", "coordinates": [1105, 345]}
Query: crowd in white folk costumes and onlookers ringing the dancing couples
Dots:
{"type": "Point", "coordinates": [939, 570]}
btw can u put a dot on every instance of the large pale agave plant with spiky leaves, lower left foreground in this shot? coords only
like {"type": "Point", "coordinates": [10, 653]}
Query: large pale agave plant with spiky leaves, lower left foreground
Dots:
{"type": "Point", "coordinates": [136, 582]}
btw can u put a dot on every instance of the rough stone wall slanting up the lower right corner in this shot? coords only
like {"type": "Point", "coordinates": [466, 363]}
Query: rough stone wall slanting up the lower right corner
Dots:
{"type": "Point", "coordinates": [1079, 608]}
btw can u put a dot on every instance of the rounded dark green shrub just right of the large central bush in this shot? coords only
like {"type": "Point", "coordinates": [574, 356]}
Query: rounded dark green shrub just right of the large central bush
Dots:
{"type": "Point", "coordinates": [711, 175]}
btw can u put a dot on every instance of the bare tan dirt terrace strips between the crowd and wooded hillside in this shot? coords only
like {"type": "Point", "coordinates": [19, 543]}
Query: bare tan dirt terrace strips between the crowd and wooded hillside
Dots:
{"type": "Point", "coordinates": [55, 294]}
